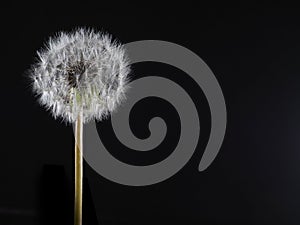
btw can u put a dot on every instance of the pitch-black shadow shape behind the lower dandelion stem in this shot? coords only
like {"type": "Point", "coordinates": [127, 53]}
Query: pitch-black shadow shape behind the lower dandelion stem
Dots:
{"type": "Point", "coordinates": [56, 198]}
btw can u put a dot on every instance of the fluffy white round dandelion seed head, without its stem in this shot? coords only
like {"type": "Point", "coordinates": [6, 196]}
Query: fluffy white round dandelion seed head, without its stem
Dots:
{"type": "Point", "coordinates": [81, 72]}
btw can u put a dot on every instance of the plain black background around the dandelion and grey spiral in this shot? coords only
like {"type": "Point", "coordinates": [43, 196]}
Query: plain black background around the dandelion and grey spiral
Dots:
{"type": "Point", "coordinates": [255, 179]}
